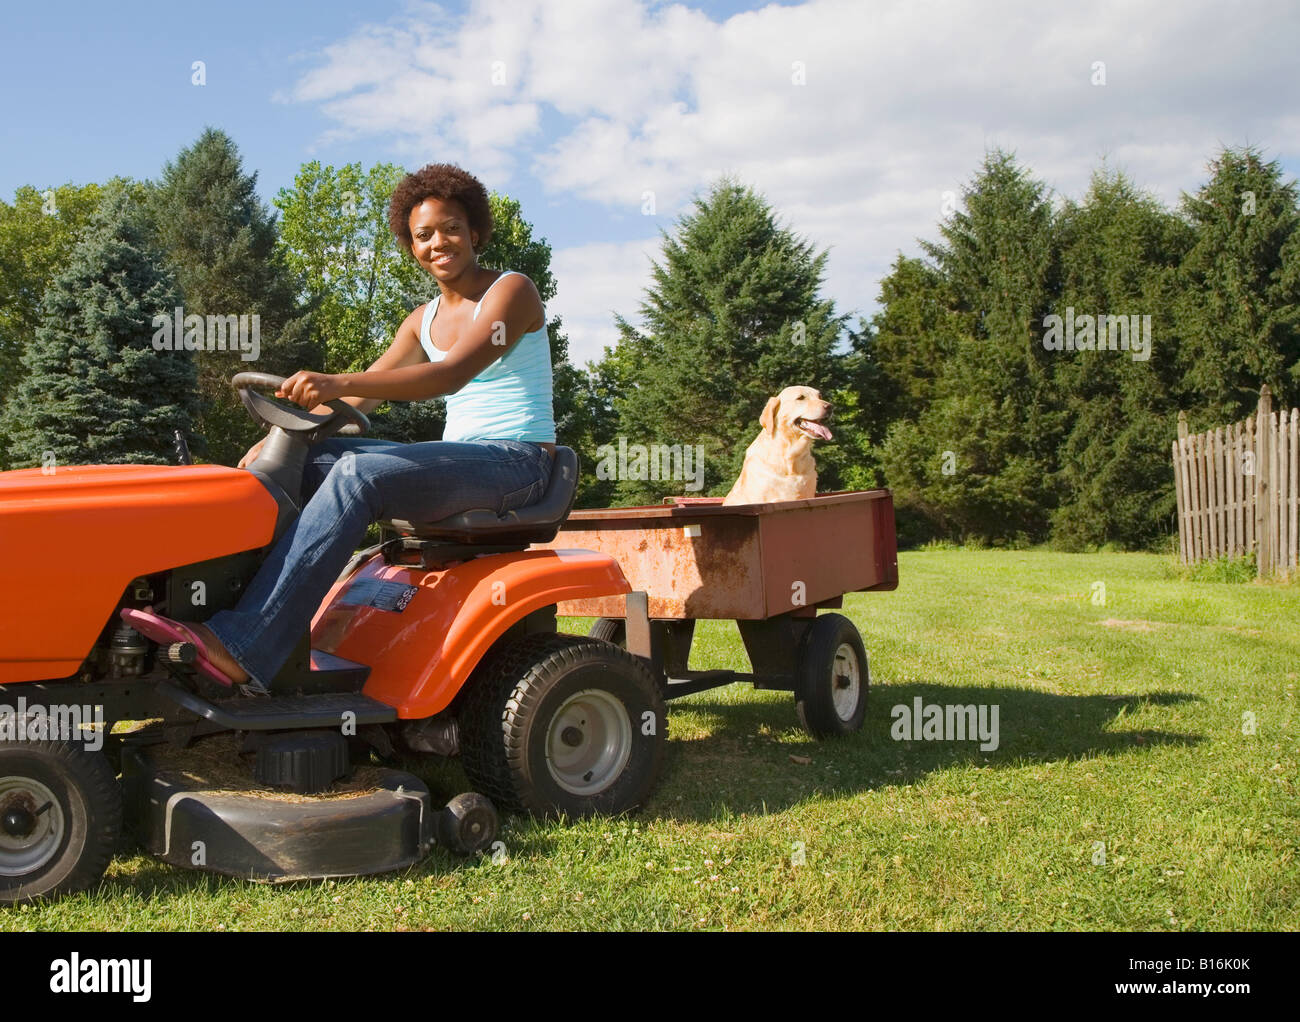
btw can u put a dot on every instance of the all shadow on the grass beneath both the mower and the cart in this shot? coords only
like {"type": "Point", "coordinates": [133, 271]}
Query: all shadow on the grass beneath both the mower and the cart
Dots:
{"type": "Point", "coordinates": [743, 766]}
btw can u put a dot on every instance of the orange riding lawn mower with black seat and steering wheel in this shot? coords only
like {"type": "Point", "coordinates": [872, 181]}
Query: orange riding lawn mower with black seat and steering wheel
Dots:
{"type": "Point", "coordinates": [441, 640]}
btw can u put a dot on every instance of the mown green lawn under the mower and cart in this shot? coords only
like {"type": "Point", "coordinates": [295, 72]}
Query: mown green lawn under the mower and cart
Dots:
{"type": "Point", "coordinates": [1121, 724]}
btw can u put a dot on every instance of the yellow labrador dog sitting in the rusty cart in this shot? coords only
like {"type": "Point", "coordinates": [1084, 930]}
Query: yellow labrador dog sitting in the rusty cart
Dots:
{"type": "Point", "coordinates": [779, 464]}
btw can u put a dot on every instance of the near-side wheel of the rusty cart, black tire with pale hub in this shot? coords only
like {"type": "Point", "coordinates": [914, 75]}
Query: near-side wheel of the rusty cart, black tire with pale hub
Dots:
{"type": "Point", "coordinates": [833, 678]}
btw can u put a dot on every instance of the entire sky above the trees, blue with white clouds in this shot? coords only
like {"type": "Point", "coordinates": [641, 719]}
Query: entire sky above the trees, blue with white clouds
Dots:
{"type": "Point", "coordinates": [596, 103]}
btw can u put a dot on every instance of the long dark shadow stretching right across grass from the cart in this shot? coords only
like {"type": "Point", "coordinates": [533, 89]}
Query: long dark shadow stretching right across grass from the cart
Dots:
{"type": "Point", "coordinates": [740, 769]}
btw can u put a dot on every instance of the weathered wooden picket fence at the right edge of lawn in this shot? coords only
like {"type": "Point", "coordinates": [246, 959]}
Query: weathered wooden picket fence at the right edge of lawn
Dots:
{"type": "Point", "coordinates": [1238, 490]}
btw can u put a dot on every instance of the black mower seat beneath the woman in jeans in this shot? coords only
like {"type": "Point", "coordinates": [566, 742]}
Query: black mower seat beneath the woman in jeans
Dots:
{"type": "Point", "coordinates": [538, 523]}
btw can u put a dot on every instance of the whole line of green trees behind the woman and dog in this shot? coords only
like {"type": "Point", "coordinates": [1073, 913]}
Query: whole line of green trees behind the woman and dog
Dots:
{"type": "Point", "coordinates": [989, 389]}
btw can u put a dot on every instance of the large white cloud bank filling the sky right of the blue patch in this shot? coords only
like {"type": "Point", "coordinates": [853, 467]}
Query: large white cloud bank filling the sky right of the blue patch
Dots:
{"type": "Point", "coordinates": [902, 101]}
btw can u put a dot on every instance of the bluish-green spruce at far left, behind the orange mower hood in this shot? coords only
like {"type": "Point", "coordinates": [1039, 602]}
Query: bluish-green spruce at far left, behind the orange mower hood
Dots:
{"type": "Point", "coordinates": [96, 391]}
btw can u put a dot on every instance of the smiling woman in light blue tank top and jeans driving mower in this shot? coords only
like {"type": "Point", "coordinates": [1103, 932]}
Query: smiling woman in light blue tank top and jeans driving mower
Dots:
{"type": "Point", "coordinates": [482, 343]}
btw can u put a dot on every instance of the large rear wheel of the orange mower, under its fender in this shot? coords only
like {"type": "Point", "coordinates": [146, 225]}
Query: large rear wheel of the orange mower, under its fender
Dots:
{"type": "Point", "coordinates": [595, 759]}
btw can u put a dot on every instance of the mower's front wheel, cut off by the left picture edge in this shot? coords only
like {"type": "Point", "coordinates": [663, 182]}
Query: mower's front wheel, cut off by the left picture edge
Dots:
{"type": "Point", "coordinates": [60, 819]}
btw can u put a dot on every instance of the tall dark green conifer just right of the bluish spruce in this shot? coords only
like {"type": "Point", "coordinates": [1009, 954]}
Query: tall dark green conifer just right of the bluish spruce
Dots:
{"type": "Point", "coordinates": [220, 242]}
